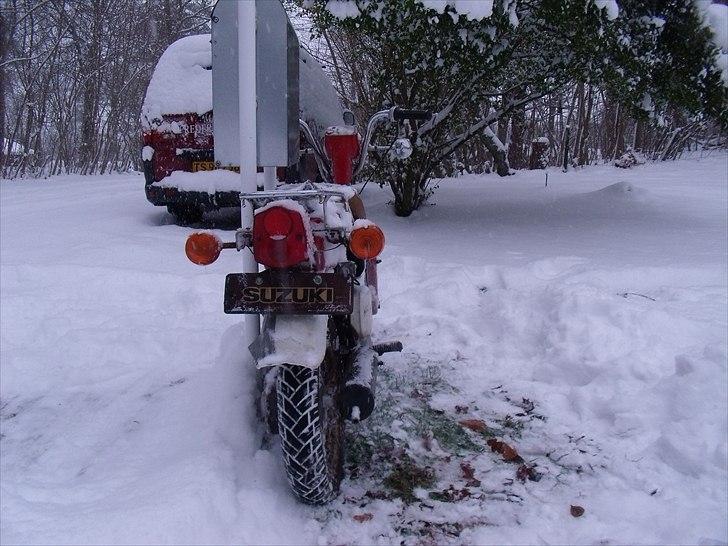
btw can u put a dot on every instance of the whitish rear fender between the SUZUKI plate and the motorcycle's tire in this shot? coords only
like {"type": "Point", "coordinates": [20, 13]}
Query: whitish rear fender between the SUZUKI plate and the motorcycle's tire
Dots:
{"type": "Point", "coordinates": [291, 339]}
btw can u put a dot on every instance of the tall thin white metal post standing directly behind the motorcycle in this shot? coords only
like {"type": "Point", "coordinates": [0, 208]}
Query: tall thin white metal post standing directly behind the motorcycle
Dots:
{"type": "Point", "coordinates": [247, 129]}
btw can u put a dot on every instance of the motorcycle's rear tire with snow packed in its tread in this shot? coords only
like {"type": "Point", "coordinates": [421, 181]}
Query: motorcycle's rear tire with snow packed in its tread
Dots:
{"type": "Point", "coordinates": [311, 428]}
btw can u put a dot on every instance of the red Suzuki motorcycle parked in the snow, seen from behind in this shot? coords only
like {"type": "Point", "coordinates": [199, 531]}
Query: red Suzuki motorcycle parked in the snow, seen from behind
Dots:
{"type": "Point", "coordinates": [317, 295]}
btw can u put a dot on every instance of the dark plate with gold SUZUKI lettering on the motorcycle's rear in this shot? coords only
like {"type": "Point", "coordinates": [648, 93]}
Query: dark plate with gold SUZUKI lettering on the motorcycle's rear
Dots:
{"type": "Point", "coordinates": [288, 292]}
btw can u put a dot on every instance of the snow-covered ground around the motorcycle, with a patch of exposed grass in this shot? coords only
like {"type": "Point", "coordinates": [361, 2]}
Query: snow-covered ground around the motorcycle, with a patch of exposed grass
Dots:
{"type": "Point", "coordinates": [583, 323]}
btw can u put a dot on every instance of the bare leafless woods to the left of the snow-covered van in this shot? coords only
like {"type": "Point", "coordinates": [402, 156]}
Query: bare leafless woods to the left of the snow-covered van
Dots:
{"type": "Point", "coordinates": [73, 74]}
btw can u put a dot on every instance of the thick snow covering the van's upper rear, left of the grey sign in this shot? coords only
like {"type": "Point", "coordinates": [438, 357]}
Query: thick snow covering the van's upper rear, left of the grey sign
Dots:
{"type": "Point", "coordinates": [181, 82]}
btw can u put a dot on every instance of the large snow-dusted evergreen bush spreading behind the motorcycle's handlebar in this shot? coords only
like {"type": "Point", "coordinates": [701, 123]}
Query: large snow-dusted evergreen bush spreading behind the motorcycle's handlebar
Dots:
{"type": "Point", "coordinates": [476, 63]}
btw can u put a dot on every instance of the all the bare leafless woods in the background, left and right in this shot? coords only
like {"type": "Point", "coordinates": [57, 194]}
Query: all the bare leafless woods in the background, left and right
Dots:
{"type": "Point", "coordinates": [73, 74]}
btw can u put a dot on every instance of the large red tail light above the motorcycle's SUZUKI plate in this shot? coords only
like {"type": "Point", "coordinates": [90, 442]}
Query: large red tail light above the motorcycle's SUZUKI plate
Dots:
{"type": "Point", "coordinates": [279, 237]}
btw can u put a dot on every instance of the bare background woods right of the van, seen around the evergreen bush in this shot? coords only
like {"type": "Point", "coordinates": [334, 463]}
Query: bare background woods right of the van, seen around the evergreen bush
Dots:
{"type": "Point", "coordinates": [601, 128]}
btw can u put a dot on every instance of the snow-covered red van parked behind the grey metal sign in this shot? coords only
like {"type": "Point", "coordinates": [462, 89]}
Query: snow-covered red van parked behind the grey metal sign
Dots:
{"type": "Point", "coordinates": [178, 140]}
